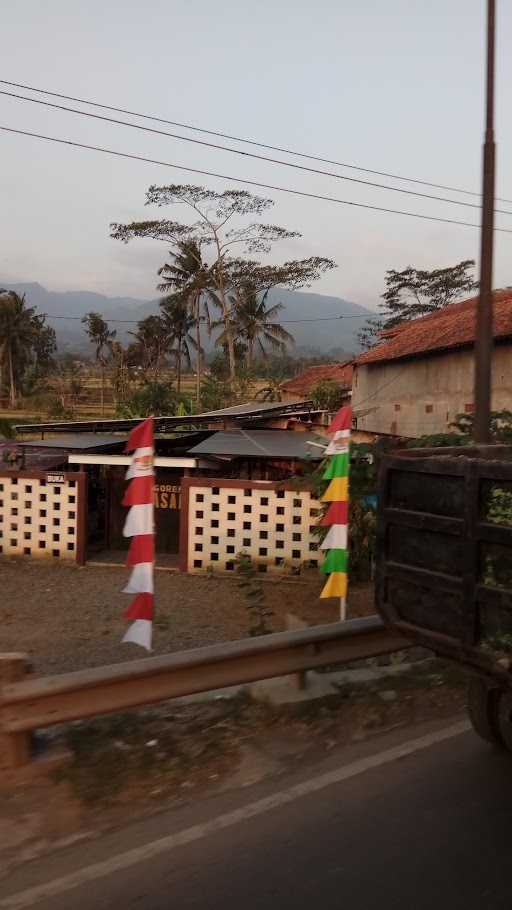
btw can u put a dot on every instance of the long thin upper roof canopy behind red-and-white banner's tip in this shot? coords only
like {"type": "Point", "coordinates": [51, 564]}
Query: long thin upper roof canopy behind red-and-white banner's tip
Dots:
{"type": "Point", "coordinates": [248, 411]}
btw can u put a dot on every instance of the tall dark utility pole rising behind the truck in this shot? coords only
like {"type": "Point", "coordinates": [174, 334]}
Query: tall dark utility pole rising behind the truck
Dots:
{"type": "Point", "coordinates": [484, 320]}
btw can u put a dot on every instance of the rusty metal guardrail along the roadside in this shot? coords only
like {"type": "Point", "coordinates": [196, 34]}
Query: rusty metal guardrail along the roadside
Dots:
{"type": "Point", "coordinates": [42, 702]}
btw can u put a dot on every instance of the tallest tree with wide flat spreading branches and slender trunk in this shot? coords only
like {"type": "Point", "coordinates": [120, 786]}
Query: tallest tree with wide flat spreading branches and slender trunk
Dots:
{"type": "Point", "coordinates": [223, 223]}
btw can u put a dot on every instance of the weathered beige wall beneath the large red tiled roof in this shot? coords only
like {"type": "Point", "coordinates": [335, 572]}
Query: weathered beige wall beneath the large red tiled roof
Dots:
{"type": "Point", "coordinates": [422, 396]}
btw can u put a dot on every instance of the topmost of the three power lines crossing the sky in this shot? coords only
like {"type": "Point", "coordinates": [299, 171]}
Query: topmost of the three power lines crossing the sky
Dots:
{"type": "Point", "coordinates": [273, 148]}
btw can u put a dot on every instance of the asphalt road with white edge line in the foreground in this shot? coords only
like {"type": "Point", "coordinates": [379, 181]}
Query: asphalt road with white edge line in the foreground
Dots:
{"type": "Point", "coordinates": [428, 826]}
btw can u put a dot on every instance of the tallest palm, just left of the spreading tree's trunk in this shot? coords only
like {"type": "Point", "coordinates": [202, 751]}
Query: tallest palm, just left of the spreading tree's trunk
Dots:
{"type": "Point", "coordinates": [190, 277]}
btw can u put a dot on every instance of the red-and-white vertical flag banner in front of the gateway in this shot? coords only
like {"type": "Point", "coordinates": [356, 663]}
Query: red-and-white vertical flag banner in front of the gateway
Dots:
{"type": "Point", "coordinates": [139, 526]}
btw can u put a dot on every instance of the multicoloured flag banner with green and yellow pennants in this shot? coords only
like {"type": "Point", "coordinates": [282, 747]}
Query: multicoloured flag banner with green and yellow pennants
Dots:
{"type": "Point", "coordinates": [335, 543]}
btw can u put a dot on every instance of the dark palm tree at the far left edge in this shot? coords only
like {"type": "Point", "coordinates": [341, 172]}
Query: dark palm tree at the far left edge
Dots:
{"type": "Point", "coordinates": [19, 327]}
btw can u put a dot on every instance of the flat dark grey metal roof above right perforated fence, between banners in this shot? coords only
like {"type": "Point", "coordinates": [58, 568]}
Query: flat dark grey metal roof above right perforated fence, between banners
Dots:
{"type": "Point", "coordinates": [261, 444]}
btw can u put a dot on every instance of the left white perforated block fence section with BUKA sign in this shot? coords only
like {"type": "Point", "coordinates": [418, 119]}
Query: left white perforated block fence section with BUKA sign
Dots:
{"type": "Point", "coordinates": [43, 514]}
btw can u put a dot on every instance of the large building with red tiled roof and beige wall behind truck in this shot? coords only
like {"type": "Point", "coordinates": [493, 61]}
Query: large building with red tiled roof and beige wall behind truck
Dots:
{"type": "Point", "coordinates": [420, 375]}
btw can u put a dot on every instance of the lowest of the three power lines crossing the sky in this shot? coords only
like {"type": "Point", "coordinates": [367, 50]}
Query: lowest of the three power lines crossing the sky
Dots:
{"type": "Point", "coordinates": [266, 186]}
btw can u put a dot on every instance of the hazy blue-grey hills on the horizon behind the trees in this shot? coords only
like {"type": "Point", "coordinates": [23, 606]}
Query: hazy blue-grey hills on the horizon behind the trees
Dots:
{"type": "Point", "coordinates": [317, 336]}
